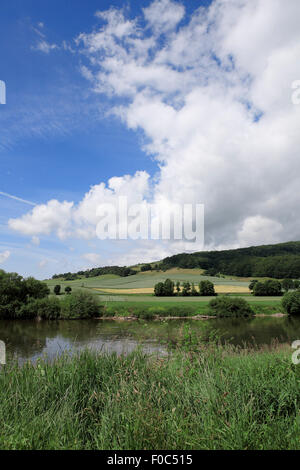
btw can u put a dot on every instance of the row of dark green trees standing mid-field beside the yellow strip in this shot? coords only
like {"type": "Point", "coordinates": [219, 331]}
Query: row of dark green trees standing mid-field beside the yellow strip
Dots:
{"type": "Point", "coordinates": [167, 289]}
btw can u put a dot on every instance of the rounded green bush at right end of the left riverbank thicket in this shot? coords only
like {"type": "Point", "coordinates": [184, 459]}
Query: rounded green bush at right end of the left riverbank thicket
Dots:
{"type": "Point", "coordinates": [80, 305]}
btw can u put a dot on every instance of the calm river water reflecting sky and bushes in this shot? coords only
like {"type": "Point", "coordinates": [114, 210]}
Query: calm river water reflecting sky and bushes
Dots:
{"type": "Point", "coordinates": [31, 339]}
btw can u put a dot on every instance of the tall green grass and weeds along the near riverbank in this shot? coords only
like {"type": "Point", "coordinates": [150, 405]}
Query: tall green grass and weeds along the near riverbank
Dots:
{"type": "Point", "coordinates": [200, 397]}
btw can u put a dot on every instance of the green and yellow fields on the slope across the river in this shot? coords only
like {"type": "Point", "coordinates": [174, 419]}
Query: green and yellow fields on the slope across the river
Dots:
{"type": "Point", "coordinates": [133, 295]}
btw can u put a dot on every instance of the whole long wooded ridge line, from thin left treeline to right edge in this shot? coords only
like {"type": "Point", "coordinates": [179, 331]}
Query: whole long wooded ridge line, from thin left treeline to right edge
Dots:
{"type": "Point", "coordinates": [281, 260]}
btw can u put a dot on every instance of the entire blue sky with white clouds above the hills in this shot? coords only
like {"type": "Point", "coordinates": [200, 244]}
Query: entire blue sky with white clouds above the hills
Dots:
{"type": "Point", "coordinates": [185, 81]}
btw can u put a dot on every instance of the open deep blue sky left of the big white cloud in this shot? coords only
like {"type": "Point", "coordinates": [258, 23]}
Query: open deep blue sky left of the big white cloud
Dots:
{"type": "Point", "coordinates": [55, 141]}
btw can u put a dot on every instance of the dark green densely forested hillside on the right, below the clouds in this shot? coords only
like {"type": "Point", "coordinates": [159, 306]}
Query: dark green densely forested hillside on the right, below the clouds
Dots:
{"type": "Point", "coordinates": [278, 261]}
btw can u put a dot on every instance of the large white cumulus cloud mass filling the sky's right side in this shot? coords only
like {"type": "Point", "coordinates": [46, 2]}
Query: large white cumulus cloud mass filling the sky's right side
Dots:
{"type": "Point", "coordinates": [212, 95]}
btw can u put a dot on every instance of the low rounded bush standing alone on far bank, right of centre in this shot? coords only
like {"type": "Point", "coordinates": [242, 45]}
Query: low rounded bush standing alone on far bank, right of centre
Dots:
{"type": "Point", "coordinates": [225, 306]}
